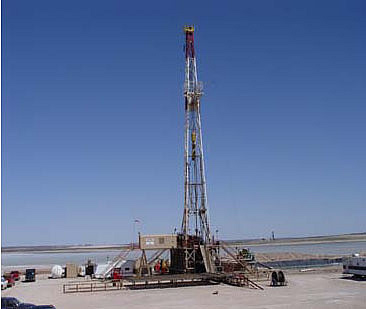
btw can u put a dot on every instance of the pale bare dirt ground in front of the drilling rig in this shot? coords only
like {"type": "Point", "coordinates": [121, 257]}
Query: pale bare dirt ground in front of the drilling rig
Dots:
{"type": "Point", "coordinates": [304, 290]}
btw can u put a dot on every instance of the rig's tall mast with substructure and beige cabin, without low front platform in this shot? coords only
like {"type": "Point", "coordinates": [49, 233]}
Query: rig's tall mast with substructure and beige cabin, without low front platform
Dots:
{"type": "Point", "coordinates": [192, 250]}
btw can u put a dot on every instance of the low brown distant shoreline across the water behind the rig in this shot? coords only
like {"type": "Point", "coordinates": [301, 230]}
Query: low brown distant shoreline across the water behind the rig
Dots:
{"type": "Point", "coordinates": [252, 242]}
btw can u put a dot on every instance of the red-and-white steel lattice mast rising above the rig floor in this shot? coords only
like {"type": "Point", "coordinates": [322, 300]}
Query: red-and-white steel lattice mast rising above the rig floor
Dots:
{"type": "Point", "coordinates": [195, 218]}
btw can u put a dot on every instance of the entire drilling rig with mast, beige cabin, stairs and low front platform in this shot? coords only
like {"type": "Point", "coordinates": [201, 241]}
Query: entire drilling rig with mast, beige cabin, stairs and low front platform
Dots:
{"type": "Point", "coordinates": [194, 253]}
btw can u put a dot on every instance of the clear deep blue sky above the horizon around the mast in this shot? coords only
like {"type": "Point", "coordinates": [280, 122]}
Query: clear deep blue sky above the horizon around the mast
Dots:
{"type": "Point", "coordinates": [93, 116]}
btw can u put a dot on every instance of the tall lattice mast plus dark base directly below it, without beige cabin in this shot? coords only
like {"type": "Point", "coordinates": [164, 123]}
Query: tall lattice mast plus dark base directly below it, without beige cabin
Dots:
{"type": "Point", "coordinates": [195, 234]}
